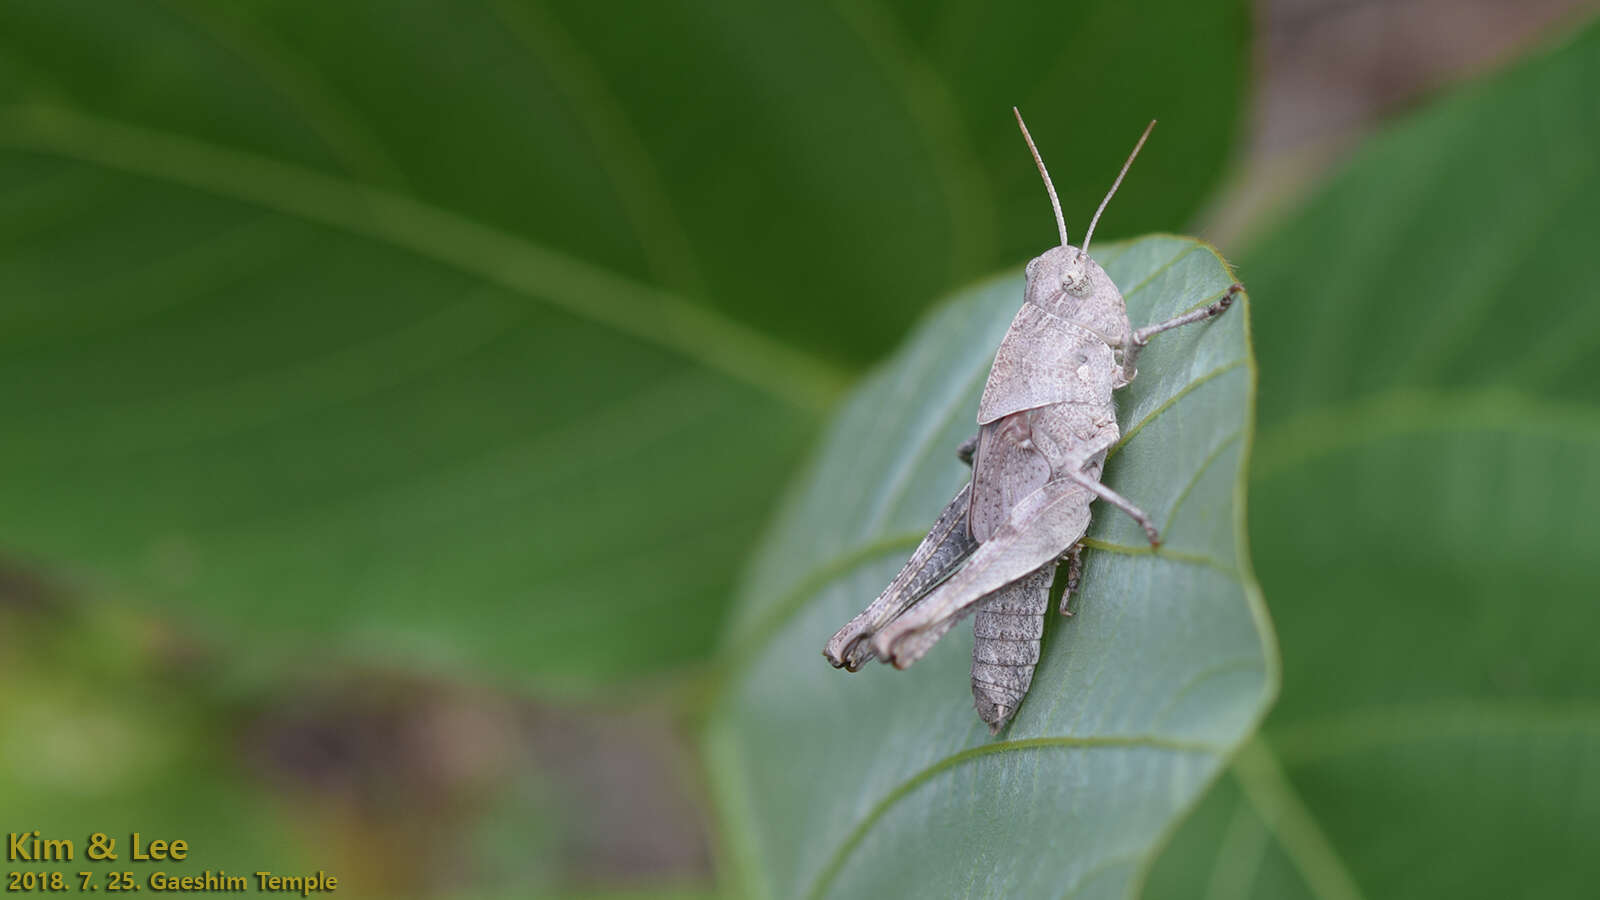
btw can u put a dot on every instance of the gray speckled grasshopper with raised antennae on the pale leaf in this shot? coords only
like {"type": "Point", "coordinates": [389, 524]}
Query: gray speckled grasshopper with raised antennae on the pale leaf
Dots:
{"type": "Point", "coordinates": [1046, 425]}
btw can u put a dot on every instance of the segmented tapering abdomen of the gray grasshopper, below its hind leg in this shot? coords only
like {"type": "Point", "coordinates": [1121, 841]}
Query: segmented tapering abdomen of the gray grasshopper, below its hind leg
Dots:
{"type": "Point", "coordinates": [1006, 651]}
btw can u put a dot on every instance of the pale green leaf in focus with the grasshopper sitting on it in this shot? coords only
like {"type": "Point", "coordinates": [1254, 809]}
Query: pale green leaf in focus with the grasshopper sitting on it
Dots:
{"type": "Point", "coordinates": [887, 784]}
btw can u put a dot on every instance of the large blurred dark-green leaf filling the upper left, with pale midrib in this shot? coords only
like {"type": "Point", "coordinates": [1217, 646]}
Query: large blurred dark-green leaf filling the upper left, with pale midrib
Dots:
{"type": "Point", "coordinates": [489, 332]}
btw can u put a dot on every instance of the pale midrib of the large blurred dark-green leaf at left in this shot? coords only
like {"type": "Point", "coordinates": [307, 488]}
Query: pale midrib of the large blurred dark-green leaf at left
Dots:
{"type": "Point", "coordinates": [582, 289]}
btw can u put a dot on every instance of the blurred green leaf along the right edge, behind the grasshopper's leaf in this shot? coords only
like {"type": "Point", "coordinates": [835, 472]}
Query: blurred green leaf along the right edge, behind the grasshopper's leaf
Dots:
{"type": "Point", "coordinates": [1423, 516]}
